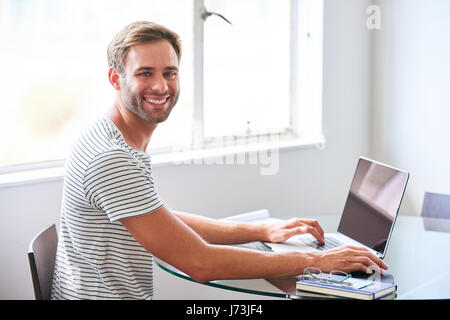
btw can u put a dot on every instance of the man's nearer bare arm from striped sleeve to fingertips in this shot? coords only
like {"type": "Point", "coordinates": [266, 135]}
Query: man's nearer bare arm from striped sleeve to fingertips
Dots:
{"type": "Point", "coordinates": [167, 237]}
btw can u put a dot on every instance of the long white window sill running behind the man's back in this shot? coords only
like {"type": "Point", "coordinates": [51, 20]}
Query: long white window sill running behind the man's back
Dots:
{"type": "Point", "coordinates": [202, 156]}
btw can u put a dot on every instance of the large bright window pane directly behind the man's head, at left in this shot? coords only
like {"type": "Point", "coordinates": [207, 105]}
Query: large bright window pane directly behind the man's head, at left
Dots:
{"type": "Point", "coordinates": [53, 54]}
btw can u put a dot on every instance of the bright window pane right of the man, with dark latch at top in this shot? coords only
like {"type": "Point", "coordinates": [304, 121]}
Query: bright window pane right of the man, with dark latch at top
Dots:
{"type": "Point", "coordinates": [246, 67]}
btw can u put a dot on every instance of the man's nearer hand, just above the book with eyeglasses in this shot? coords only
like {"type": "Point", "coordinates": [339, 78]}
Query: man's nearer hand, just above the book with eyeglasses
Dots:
{"type": "Point", "coordinates": [348, 259]}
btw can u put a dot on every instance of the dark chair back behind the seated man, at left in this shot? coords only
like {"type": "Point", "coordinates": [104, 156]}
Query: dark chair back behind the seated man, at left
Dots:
{"type": "Point", "coordinates": [42, 255]}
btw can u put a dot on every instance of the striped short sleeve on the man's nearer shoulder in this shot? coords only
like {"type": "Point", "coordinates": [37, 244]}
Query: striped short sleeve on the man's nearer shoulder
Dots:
{"type": "Point", "coordinates": [120, 185]}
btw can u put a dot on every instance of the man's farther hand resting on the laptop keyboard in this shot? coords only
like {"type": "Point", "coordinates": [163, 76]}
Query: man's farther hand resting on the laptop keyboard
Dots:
{"type": "Point", "coordinates": [283, 230]}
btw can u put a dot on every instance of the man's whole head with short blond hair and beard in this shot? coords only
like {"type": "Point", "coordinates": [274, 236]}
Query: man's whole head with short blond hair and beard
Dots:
{"type": "Point", "coordinates": [143, 60]}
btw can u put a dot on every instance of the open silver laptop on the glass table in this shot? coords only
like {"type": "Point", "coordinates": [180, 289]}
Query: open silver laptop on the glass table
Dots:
{"type": "Point", "coordinates": [369, 213]}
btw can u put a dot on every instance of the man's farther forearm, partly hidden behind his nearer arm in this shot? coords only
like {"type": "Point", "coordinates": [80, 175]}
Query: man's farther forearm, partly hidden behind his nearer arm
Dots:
{"type": "Point", "coordinates": [222, 232]}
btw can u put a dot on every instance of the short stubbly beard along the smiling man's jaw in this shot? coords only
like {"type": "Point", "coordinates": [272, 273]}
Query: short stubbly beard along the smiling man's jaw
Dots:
{"type": "Point", "coordinates": [135, 103]}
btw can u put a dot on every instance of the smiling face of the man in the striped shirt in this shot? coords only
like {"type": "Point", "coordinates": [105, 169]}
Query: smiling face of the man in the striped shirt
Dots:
{"type": "Point", "coordinates": [149, 86]}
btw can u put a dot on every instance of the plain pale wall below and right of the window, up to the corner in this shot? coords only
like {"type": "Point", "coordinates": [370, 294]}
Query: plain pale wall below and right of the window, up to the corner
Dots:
{"type": "Point", "coordinates": [310, 182]}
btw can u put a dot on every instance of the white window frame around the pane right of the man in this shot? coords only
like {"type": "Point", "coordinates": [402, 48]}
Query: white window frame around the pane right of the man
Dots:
{"type": "Point", "coordinates": [302, 34]}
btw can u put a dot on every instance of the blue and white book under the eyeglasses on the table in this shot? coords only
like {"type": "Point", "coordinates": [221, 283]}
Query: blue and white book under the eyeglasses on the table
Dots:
{"type": "Point", "coordinates": [351, 288]}
